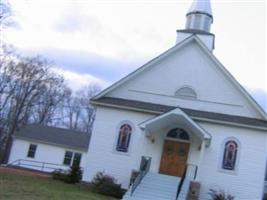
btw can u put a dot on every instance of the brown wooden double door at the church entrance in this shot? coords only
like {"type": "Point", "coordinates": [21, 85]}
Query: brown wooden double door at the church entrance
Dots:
{"type": "Point", "coordinates": [174, 158]}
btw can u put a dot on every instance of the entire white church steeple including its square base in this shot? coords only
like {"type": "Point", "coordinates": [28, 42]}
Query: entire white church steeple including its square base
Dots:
{"type": "Point", "coordinates": [198, 22]}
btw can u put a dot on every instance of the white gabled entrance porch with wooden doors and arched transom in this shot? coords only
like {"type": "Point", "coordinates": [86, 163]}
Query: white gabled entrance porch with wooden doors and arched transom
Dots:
{"type": "Point", "coordinates": [177, 144]}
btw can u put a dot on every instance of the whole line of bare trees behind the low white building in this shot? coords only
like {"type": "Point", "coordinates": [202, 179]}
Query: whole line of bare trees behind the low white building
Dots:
{"type": "Point", "coordinates": [32, 92]}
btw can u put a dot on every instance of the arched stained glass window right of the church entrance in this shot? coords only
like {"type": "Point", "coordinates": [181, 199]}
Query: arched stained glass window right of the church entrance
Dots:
{"type": "Point", "coordinates": [230, 155]}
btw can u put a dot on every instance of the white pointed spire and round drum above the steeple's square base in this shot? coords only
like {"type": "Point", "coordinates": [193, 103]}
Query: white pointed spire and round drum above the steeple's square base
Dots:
{"type": "Point", "coordinates": [199, 16]}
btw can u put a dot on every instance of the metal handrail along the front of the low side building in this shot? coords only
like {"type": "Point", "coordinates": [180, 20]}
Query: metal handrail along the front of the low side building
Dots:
{"type": "Point", "coordinates": [33, 163]}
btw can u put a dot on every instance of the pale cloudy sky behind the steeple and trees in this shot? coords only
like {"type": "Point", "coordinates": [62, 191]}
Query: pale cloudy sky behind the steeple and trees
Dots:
{"type": "Point", "coordinates": [100, 41]}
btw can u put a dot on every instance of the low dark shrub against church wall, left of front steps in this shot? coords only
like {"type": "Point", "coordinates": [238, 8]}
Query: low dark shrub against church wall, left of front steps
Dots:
{"type": "Point", "coordinates": [106, 185]}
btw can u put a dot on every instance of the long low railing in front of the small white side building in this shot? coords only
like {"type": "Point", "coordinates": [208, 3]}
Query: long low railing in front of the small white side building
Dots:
{"type": "Point", "coordinates": [36, 165]}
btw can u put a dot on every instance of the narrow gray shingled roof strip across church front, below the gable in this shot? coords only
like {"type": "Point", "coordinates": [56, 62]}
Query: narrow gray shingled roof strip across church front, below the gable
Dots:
{"type": "Point", "coordinates": [190, 112]}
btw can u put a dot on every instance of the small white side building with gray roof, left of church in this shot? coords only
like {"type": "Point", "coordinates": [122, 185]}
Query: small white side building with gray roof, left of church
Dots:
{"type": "Point", "coordinates": [47, 148]}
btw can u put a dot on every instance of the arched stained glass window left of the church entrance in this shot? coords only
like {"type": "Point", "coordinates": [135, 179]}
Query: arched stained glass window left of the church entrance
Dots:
{"type": "Point", "coordinates": [123, 142]}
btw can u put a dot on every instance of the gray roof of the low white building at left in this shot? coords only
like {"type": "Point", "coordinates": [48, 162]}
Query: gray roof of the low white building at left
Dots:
{"type": "Point", "coordinates": [55, 136]}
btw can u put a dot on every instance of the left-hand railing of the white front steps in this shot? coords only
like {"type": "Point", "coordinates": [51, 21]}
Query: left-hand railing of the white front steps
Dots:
{"type": "Point", "coordinates": [144, 168]}
